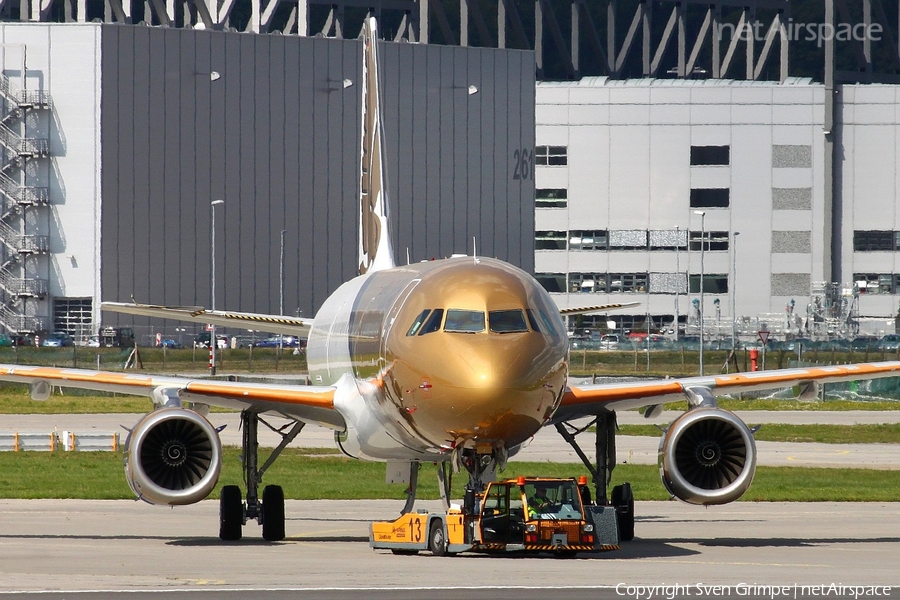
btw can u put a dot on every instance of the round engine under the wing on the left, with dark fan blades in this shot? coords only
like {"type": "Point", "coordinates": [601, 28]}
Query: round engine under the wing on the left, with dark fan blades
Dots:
{"type": "Point", "coordinates": [173, 456]}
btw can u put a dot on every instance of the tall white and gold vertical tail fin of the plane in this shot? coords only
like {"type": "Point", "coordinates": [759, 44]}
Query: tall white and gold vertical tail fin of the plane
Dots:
{"type": "Point", "coordinates": [375, 251]}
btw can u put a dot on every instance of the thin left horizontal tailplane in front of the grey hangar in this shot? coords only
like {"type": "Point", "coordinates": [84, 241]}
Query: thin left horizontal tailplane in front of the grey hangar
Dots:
{"type": "Point", "coordinates": [226, 318]}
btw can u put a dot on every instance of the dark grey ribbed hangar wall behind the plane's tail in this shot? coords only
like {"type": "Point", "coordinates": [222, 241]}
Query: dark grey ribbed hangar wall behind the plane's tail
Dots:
{"type": "Point", "coordinates": [276, 136]}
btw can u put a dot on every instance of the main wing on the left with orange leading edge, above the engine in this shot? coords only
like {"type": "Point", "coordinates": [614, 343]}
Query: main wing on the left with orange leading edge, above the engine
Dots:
{"type": "Point", "coordinates": [312, 404]}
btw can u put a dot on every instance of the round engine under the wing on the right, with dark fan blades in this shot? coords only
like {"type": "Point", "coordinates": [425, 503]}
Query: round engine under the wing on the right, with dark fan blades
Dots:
{"type": "Point", "coordinates": [707, 456]}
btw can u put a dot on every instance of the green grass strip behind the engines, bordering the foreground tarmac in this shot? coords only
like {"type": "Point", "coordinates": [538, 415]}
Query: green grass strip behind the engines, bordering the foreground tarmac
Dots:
{"type": "Point", "coordinates": [99, 475]}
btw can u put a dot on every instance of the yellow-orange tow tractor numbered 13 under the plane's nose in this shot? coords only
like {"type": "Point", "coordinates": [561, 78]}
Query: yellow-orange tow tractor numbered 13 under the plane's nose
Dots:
{"type": "Point", "coordinates": [527, 514]}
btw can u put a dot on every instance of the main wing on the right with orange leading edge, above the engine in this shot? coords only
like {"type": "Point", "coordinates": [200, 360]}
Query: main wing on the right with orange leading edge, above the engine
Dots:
{"type": "Point", "coordinates": [589, 399]}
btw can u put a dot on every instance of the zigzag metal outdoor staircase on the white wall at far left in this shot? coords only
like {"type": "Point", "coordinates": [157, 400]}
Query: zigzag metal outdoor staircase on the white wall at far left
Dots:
{"type": "Point", "coordinates": [18, 204]}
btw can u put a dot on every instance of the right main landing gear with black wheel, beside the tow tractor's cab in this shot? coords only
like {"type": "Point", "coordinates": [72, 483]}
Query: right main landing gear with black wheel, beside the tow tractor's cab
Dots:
{"type": "Point", "coordinates": [601, 471]}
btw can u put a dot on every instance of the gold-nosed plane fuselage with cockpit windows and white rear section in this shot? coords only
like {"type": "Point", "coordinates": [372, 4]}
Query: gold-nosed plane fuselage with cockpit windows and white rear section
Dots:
{"type": "Point", "coordinates": [462, 351]}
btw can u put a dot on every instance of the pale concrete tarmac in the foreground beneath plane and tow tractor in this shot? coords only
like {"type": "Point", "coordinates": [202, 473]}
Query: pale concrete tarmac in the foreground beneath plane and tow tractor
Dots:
{"type": "Point", "coordinates": [113, 547]}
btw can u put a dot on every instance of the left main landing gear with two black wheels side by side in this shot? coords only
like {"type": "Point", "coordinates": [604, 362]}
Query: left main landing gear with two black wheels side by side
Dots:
{"type": "Point", "coordinates": [268, 511]}
